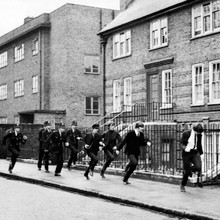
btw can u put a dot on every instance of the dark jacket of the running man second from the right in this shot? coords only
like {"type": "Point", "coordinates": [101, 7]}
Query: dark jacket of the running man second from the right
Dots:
{"type": "Point", "coordinates": [133, 143]}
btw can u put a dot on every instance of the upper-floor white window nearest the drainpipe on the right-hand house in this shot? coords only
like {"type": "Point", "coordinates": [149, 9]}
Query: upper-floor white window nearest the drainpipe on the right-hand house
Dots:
{"type": "Point", "coordinates": [122, 44]}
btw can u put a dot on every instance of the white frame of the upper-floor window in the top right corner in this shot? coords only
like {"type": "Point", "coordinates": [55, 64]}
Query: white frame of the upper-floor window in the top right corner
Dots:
{"type": "Point", "coordinates": [199, 14]}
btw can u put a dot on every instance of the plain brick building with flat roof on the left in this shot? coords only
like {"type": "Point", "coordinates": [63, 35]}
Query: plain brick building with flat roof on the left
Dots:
{"type": "Point", "coordinates": [50, 67]}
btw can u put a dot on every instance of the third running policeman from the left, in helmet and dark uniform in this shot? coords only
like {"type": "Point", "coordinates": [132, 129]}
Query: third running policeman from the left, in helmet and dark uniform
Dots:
{"type": "Point", "coordinates": [57, 139]}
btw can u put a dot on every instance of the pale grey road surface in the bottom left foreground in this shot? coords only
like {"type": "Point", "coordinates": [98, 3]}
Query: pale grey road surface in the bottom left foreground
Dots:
{"type": "Point", "coordinates": [23, 201]}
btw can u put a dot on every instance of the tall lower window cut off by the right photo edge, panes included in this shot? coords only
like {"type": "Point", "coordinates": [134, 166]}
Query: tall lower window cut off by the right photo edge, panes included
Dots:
{"type": "Point", "coordinates": [214, 82]}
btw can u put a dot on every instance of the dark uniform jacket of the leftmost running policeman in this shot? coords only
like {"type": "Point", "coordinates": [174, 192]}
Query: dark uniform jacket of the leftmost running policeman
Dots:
{"type": "Point", "coordinates": [13, 140]}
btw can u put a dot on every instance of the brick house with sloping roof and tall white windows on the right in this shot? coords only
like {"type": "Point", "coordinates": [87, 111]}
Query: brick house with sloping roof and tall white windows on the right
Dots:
{"type": "Point", "coordinates": [166, 55]}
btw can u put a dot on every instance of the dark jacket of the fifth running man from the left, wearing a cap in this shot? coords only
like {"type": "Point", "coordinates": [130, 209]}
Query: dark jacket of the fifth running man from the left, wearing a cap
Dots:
{"type": "Point", "coordinates": [93, 142]}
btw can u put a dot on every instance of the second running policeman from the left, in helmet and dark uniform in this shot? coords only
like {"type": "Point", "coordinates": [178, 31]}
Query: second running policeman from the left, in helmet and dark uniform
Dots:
{"type": "Point", "coordinates": [46, 144]}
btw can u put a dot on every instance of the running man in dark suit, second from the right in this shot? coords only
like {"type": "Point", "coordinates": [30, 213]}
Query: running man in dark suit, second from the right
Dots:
{"type": "Point", "coordinates": [133, 140]}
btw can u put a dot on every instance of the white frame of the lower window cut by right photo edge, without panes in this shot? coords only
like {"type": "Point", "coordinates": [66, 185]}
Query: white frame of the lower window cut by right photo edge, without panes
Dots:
{"type": "Point", "coordinates": [212, 99]}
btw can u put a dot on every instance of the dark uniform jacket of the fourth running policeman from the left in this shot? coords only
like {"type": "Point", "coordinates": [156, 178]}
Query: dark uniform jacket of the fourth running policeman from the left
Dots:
{"type": "Point", "coordinates": [71, 138]}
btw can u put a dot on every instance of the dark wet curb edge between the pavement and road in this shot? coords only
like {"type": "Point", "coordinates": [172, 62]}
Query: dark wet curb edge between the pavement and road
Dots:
{"type": "Point", "coordinates": [107, 197]}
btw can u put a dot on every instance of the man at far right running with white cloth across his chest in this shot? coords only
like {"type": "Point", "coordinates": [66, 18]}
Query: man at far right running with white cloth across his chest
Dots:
{"type": "Point", "coordinates": [191, 150]}
